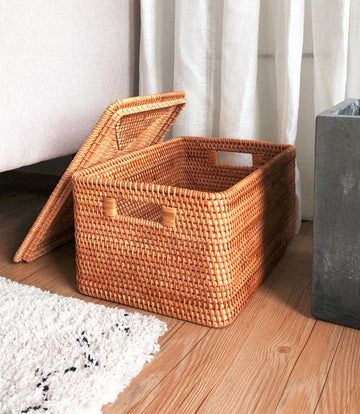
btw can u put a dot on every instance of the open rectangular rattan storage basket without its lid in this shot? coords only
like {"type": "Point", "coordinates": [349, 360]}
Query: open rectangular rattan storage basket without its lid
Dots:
{"type": "Point", "coordinates": [171, 230]}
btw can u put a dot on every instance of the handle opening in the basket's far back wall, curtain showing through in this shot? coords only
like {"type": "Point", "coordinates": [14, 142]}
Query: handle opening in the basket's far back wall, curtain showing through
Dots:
{"type": "Point", "coordinates": [235, 159]}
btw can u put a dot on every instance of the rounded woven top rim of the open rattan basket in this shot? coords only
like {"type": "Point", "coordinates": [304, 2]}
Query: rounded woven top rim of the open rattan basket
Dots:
{"type": "Point", "coordinates": [91, 175]}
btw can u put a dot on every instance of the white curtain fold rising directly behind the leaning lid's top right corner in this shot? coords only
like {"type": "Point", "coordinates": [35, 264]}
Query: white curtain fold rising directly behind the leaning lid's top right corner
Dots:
{"type": "Point", "coordinates": [193, 64]}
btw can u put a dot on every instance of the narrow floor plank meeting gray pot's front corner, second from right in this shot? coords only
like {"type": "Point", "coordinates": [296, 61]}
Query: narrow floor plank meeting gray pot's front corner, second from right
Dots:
{"type": "Point", "coordinates": [306, 381]}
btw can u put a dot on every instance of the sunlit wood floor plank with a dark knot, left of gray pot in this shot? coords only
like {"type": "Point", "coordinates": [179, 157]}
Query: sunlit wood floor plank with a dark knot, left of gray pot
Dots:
{"type": "Point", "coordinates": [262, 370]}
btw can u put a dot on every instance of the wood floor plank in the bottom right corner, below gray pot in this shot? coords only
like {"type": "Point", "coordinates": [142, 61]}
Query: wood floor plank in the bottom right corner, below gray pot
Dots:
{"type": "Point", "coordinates": [341, 393]}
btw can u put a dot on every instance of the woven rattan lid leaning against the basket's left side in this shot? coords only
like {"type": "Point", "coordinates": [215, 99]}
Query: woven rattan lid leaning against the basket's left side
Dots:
{"type": "Point", "coordinates": [125, 126]}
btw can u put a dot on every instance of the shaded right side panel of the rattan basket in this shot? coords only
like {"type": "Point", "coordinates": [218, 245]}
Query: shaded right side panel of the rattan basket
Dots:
{"type": "Point", "coordinates": [263, 223]}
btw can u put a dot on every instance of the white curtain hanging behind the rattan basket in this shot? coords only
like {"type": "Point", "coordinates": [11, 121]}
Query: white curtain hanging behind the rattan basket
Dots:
{"type": "Point", "coordinates": [254, 69]}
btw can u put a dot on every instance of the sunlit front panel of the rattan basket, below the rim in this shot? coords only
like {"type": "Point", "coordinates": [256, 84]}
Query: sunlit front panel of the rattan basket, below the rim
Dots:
{"type": "Point", "coordinates": [180, 271]}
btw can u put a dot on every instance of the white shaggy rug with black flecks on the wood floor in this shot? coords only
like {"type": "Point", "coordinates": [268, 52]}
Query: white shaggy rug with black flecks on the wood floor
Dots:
{"type": "Point", "coordinates": [61, 355]}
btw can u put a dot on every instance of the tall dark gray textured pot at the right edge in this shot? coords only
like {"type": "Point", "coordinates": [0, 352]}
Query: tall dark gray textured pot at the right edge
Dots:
{"type": "Point", "coordinates": [336, 272]}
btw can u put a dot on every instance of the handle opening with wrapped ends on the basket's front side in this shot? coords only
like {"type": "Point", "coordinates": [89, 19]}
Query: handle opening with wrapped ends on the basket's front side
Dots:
{"type": "Point", "coordinates": [146, 212]}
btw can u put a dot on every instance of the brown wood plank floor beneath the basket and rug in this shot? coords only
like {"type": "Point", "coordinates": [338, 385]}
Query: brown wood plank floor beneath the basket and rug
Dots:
{"type": "Point", "coordinates": [273, 359]}
